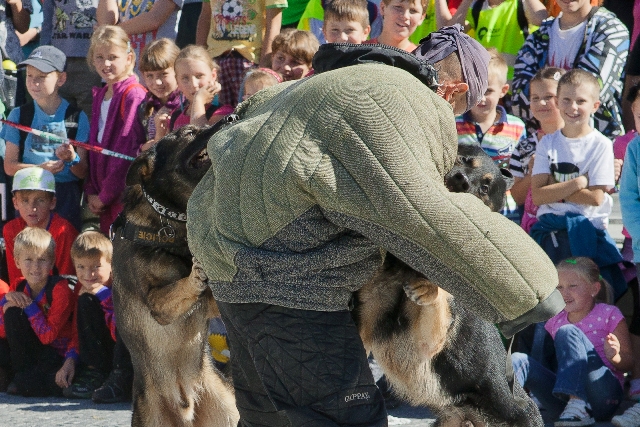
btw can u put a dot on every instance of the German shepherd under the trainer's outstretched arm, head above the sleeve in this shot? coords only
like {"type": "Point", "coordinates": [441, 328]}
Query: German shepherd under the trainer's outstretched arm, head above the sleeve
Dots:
{"type": "Point", "coordinates": [433, 351]}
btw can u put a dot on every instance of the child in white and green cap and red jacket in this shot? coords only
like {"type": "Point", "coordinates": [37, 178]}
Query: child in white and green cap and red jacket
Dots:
{"type": "Point", "coordinates": [34, 197]}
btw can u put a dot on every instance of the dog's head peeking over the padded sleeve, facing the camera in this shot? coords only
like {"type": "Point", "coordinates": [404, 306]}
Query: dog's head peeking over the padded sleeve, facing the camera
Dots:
{"type": "Point", "coordinates": [474, 172]}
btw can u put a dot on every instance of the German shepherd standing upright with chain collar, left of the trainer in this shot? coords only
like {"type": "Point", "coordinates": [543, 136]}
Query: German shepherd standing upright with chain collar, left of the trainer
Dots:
{"type": "Point", "coordinates": [161, 299]}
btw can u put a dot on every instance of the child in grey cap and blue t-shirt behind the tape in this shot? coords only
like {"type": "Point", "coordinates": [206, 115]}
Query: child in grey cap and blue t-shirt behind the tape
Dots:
{"type": "Point", "coordinates": [50, 113]}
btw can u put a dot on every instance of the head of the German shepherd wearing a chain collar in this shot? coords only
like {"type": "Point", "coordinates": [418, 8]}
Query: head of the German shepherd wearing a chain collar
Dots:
{"type": "Point", "coordinates": [171, 169]}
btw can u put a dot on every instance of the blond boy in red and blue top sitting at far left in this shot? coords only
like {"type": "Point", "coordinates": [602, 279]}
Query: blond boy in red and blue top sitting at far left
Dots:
{"type": "Point", "coordinates": [36, 317]}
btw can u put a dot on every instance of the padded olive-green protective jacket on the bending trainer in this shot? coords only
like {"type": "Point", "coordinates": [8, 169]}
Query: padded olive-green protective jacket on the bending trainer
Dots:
{"type": "Point", "coordinates": [318, 175]}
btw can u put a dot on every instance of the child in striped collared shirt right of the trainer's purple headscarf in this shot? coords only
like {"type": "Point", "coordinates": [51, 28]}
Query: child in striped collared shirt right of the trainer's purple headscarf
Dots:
{"type": "Point", "coordinates": [488, 125]}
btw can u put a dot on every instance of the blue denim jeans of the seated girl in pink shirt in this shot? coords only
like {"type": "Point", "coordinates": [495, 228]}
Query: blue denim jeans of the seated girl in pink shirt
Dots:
{"type": "Point", "coordinates": [581, 373]}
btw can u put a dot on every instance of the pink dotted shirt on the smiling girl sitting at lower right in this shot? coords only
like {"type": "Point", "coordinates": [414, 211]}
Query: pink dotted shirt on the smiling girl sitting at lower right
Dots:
{"type": "Point", "coordinates": [600, 322]}
